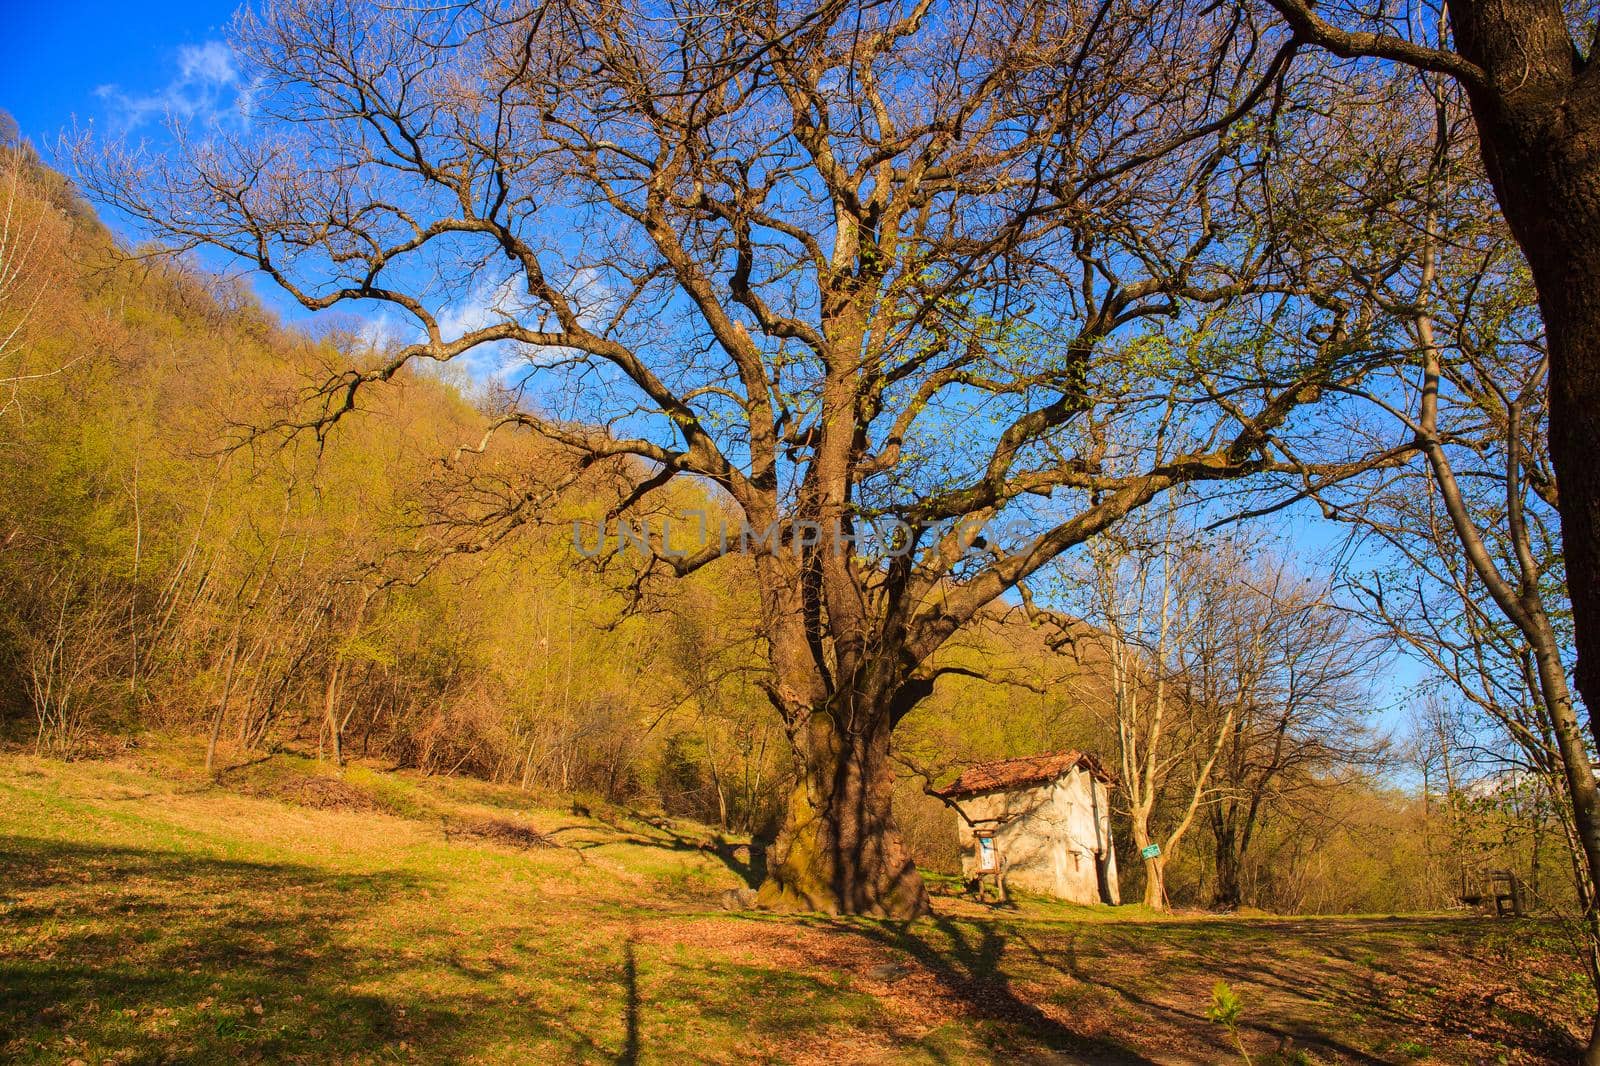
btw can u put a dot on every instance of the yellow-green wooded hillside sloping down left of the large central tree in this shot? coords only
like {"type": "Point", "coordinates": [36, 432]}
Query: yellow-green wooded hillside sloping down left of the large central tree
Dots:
{"type": "Point", "coordinates": [170, 564]}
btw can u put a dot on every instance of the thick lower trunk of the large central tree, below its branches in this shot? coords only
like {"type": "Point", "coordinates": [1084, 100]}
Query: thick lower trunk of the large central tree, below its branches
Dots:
{"type": "Point", "coordinates": [839, 851]}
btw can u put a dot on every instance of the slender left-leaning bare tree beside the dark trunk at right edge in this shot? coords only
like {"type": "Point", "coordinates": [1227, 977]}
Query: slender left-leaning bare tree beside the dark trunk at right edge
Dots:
{"type": "Point", "coordinates": [1481, 587]}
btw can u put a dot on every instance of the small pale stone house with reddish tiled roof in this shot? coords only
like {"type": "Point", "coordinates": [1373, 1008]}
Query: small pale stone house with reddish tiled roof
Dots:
{"type": "Point", "coordinates": [1041, 822]}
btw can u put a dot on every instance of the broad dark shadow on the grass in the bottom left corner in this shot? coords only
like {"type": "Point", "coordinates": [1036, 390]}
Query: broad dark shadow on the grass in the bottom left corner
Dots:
{"type": "Point", "coordinates": [169, 956]}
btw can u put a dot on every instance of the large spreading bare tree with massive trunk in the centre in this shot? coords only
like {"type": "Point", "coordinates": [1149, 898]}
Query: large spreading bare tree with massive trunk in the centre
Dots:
{"type": "Point", "coordinates": [841, 263]}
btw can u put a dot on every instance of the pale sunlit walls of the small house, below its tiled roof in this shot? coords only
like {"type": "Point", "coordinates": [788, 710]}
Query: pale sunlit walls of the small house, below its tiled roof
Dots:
{"type": "Point", "coordinates": [1054, 838]}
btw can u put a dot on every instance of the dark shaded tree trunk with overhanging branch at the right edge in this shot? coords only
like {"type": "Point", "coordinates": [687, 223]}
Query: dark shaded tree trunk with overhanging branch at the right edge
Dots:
{"type": "Point", "coordinates": [1529, 73]}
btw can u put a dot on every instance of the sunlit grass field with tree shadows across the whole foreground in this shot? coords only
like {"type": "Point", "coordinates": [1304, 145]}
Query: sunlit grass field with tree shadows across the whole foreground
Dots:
{"type": "Point", "coordinates": [150, 916]}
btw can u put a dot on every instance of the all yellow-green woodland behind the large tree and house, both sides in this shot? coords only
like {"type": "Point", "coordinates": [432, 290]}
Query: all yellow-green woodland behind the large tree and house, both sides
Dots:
{"type": "Point", "coordinates": [175, 558]}
